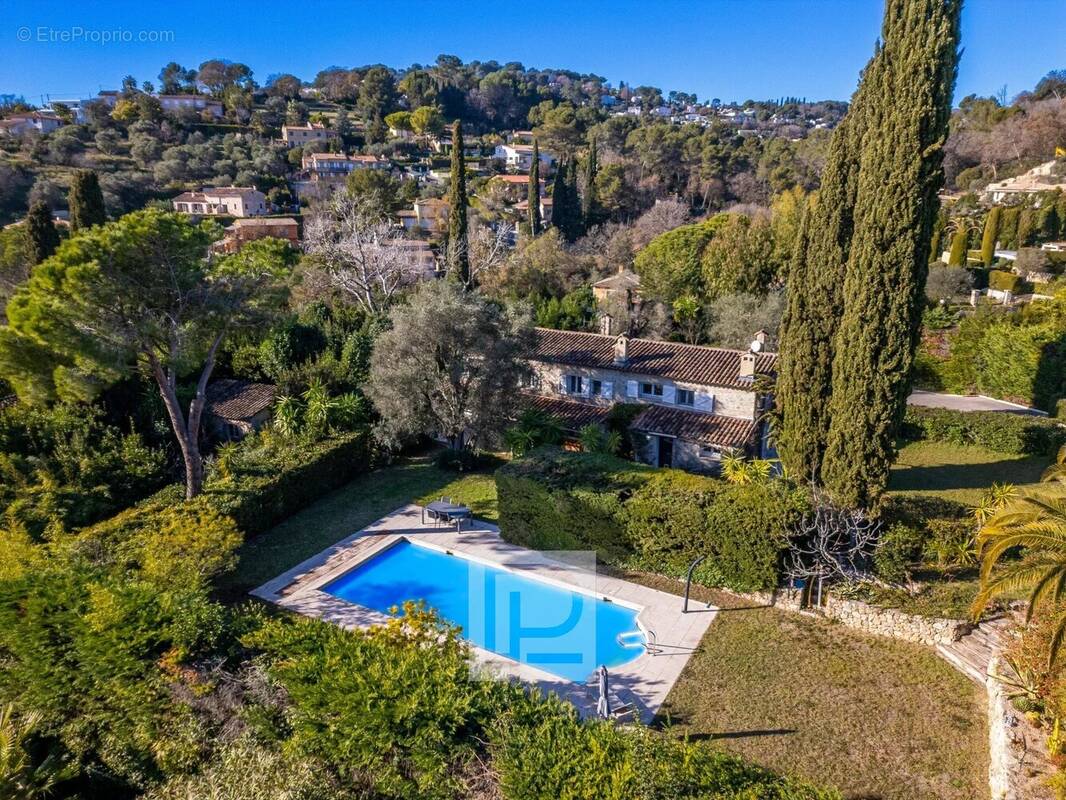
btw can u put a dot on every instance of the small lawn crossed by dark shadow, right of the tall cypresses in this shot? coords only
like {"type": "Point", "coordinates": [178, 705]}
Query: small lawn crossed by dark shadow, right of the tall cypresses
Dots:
{"type": "Point", "coordinates": [959, 473]}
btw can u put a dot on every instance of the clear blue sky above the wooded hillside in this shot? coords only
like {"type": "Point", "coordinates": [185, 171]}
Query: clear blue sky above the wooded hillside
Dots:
{"type": "Point", "coordinates": [731, 50]}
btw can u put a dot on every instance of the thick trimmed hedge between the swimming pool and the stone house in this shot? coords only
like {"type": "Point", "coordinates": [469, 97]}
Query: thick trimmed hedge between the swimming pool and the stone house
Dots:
{"type": "Point", "coordinates": [659, 520]}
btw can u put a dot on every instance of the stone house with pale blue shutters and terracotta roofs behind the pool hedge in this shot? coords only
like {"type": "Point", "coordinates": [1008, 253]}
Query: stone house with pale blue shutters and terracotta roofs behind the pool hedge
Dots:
{"type": "Point", "coordinates": [702, 403]}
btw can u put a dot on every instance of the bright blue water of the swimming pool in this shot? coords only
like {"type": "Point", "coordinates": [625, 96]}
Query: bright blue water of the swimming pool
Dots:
{"type": "Point", "coordinates": [566, 633]}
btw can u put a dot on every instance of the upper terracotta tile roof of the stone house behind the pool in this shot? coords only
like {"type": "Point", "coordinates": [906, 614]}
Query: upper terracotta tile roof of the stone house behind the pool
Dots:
{"type": "Point", "coordinates": [668, 360]}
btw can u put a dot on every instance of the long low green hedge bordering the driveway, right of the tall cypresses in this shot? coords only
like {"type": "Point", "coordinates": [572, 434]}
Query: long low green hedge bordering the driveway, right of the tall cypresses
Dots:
{"type": "Point", "coordinates": [1021, 435]}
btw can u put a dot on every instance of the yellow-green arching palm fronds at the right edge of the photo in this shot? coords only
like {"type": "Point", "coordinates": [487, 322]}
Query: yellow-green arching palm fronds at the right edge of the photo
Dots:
{"type": "Point", "coordinates": [1037, 523]}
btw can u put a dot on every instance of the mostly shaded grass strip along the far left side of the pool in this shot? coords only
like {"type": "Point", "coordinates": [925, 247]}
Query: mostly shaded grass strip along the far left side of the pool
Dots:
{"type": "Point", "coordinates": [352, 508]}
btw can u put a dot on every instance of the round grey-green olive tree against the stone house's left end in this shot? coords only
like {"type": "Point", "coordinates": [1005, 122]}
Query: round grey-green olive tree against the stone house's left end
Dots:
{"type": "Point", "coordinates": [451, 365]}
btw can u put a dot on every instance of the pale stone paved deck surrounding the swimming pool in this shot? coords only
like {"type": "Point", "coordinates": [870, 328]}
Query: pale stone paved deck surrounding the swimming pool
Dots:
{"type": "Point", "coordinates": [644, 682]}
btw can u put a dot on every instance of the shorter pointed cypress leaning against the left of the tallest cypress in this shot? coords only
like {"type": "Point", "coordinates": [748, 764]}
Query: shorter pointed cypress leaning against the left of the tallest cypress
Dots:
{"type": "Point", "coordinates": [815, 291]}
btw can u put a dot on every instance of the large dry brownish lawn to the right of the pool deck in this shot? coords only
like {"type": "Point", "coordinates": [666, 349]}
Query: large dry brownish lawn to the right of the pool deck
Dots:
{"type": "Point", "coordinates": [875, 717]}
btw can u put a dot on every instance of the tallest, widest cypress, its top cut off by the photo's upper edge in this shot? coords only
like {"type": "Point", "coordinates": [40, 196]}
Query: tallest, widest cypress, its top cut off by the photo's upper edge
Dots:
{"type": "Point", "coordinates": [900, 173]}
